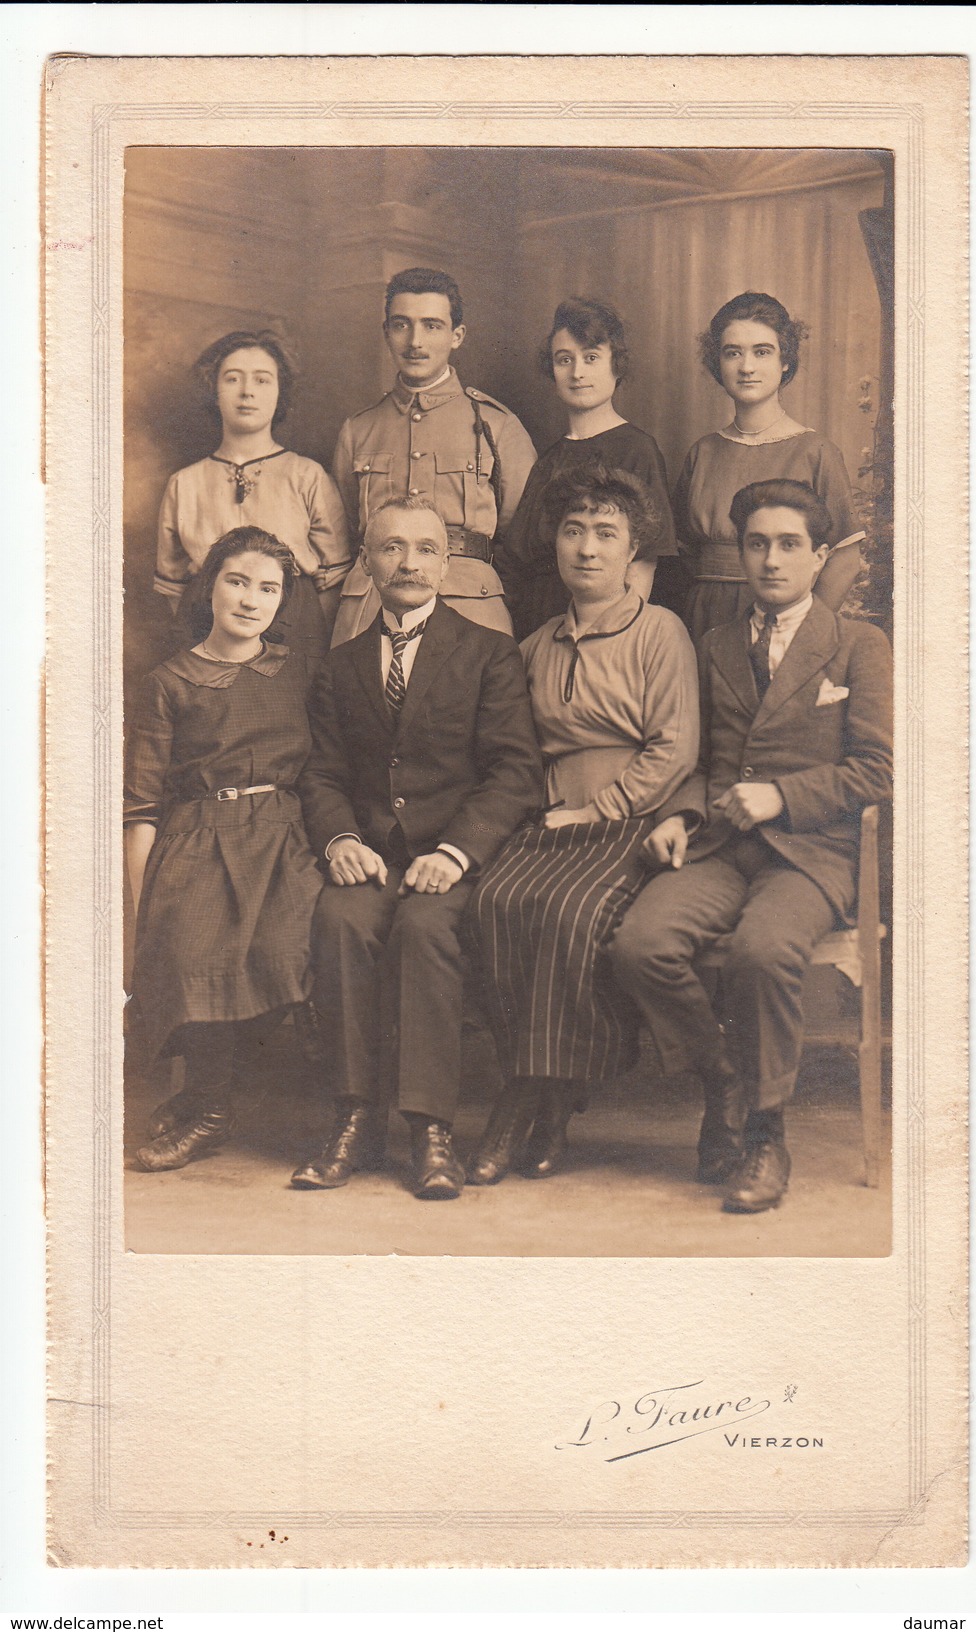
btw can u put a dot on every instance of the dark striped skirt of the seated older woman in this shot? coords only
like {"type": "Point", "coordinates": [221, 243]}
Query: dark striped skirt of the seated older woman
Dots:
{"type": "Point", "coordinates": [543, 918]}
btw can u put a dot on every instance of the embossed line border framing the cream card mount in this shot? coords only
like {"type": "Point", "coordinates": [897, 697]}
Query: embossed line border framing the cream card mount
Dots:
{"type": "Point", "coordinates": [910, 482]}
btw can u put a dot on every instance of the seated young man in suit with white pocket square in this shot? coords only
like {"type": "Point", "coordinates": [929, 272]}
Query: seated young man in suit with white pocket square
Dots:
{"type": "Point", "coordinates": [761, 843]}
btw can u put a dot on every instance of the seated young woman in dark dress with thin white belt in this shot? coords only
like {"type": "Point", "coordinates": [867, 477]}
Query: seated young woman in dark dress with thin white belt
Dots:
{"type": "Point", "coordinates": [223, 877]}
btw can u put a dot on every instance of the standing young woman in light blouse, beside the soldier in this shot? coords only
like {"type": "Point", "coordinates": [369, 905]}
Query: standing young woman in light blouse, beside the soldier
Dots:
{"type": "Point", "coordinates": [252, 481]}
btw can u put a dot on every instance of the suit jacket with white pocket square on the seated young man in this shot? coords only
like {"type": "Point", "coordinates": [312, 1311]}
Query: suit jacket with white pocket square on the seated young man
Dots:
{"type": "Point", "coordinates": [822, 734]}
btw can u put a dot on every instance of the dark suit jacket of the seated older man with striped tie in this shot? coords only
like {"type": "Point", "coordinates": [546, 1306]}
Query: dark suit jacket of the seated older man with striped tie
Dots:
{"type": "Point", "coordinates": [461, 766]}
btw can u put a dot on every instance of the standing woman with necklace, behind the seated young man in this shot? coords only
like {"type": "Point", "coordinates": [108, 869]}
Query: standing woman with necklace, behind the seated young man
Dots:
{"type": "Point", "coordinates": [752, 348]}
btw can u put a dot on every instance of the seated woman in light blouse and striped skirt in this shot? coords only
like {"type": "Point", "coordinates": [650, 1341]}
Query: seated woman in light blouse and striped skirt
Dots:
{"type": "Point", "coordinates": [616, 704]}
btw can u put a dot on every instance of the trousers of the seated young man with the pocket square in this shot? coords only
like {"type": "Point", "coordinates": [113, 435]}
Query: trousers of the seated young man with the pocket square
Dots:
{"type": "Point", "coordinates": [774, 916]}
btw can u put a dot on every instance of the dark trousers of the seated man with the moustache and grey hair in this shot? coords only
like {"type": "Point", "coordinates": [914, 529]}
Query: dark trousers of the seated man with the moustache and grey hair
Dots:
{"type": "Point", "coordinates": [389, 987]}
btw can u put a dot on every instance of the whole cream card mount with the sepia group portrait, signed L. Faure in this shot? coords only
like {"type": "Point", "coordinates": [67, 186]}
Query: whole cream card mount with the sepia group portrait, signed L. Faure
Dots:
{"type": "Point", "coordinates": [520, 732]}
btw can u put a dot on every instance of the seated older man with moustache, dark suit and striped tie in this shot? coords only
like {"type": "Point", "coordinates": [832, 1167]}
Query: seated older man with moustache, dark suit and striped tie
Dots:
{"type": "Point", "coordinates": [424, 763]}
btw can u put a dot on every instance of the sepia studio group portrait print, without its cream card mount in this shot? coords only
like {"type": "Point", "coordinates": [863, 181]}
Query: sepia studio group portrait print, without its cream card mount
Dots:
{"type": "Point", "coordinates": [319, 337]}
